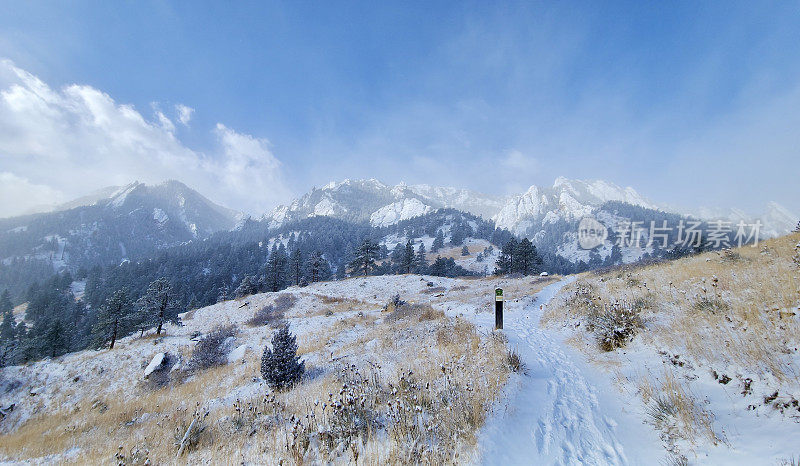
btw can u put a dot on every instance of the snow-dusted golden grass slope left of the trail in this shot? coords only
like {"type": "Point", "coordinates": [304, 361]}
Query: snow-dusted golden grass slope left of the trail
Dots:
{"type": "Point", "coordinates": [457, 373]}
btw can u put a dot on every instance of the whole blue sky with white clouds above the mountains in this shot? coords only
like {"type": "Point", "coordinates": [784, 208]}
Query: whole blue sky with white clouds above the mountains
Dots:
{"type": "Point", "coordinates": [251, 104]}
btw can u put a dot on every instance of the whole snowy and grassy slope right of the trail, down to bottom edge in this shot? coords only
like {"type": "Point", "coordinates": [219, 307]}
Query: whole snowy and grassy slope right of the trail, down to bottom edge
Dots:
{"type": "Point", "coordinates": [714, 365]}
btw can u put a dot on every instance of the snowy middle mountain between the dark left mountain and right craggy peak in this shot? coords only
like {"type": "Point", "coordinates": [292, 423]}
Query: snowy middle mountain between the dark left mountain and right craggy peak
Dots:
{"type": "Point", "coordinates": [379, 204]}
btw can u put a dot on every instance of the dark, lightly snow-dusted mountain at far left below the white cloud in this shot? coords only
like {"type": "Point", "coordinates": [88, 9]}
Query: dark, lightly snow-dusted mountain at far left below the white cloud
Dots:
{"type": "Point", "coordinates": [131, 222]}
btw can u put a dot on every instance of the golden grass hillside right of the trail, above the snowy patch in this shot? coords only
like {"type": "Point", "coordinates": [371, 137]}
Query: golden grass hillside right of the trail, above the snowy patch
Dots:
{"type": "Point", "coordinates": [722, 310]}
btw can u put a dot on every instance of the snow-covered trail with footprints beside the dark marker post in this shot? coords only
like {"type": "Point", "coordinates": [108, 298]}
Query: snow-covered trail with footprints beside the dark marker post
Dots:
{"type": "Point", "coordinates": [562, 411]}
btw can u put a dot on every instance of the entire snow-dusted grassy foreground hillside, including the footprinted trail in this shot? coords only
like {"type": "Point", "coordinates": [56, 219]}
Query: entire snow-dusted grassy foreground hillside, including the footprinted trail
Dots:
{"type": "Point", "coordinates": [673, 393]}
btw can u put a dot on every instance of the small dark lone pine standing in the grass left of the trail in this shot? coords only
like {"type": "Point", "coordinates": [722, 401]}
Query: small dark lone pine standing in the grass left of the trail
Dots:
{"type": "Point", "coordinates": [281, 366]}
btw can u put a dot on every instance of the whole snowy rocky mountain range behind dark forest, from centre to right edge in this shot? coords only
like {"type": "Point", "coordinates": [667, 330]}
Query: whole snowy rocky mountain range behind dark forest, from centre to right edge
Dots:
{"type": "Point", "coordinates": [524, 214]}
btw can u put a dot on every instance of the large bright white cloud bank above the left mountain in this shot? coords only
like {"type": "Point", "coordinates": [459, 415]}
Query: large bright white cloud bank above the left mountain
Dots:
{"type": "Point", "coordinates": [77, 139]}
